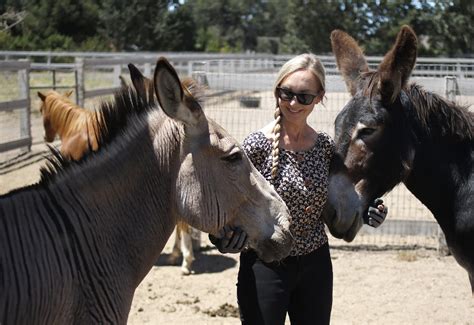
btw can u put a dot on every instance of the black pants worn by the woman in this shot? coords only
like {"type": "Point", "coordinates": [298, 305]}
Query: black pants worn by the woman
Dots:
{"type": "Point", "coordinates": [299, 285]}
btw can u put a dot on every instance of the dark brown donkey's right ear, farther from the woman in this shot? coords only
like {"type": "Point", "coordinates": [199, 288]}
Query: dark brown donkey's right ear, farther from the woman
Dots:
{"type": "Point", "coordinates": [396, 66]}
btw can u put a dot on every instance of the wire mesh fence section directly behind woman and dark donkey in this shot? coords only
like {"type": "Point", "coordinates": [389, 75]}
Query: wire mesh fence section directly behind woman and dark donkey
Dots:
{"type": "Point", "coordinates": [409, 224]}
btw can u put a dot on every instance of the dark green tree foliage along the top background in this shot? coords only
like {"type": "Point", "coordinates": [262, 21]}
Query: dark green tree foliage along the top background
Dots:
{"type": "Point", "coordinates": [444, 28]}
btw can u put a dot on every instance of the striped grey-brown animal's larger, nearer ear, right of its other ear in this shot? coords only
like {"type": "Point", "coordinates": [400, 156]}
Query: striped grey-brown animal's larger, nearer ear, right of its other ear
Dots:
{"type": "Point", "coordinates": [170, 94]}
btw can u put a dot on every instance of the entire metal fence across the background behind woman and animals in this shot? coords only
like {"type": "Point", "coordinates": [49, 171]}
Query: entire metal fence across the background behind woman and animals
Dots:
{"type": "Point", "coordinates": [239, 98]}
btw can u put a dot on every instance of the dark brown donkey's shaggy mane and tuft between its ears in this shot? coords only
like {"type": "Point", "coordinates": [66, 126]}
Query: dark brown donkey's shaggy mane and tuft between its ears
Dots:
{"type": "Point", "coordinates": [435, 115]}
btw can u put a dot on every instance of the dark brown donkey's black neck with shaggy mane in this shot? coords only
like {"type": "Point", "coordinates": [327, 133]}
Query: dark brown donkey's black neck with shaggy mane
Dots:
{"type": "Point", "coordinates": [442, 145]}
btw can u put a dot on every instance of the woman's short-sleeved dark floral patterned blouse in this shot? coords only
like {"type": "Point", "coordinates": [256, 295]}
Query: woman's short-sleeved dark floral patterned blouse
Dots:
{"type": "Point", "coordinates": [302, 182]}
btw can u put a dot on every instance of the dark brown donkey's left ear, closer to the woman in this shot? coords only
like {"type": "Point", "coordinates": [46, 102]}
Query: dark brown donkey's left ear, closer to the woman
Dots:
{"type": "Point", "coordinates": [349, 57]}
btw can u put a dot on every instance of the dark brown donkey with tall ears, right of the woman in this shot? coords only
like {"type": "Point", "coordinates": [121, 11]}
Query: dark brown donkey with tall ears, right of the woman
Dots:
{"type": "Point", "coordinates": [392, 132]}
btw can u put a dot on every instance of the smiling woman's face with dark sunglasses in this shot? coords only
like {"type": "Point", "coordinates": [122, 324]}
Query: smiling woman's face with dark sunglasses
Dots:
{"type": "Point", "coordinates": [298, 82]}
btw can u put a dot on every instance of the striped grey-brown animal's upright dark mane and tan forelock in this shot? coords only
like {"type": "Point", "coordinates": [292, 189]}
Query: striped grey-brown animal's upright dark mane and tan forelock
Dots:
{"type": "Point", "coordinates": [112, 118]}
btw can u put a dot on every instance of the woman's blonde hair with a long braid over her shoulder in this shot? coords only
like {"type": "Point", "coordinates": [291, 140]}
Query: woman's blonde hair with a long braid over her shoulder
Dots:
{"type": "Point", "coordinates": [306, 61]}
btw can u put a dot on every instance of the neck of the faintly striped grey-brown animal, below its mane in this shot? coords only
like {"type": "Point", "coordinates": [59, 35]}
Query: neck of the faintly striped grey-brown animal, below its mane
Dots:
{"type": "Point", "coordinates": [124, 194]}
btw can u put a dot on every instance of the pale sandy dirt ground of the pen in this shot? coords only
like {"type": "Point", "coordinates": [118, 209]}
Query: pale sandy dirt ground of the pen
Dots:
{"type": "Point", "coordinates": [371, 286]}
